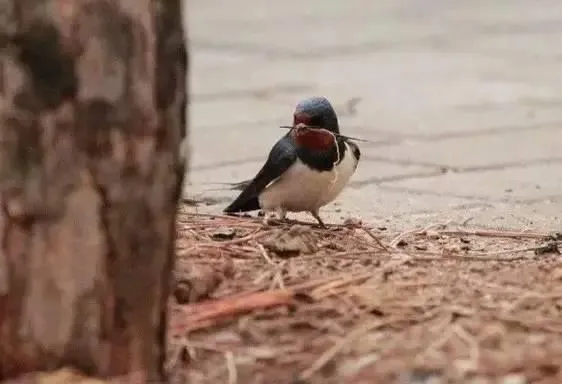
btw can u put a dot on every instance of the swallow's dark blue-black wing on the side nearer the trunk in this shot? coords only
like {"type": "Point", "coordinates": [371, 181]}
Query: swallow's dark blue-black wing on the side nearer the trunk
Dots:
{"type": "Point", "coordinates": [282, 156]}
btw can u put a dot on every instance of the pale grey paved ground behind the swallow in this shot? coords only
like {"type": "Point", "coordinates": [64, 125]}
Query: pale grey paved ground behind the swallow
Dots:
{"type": "Point", "coordinates": [462, 101]}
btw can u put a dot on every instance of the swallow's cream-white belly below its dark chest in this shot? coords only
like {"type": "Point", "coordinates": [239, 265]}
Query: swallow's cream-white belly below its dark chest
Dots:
{"type": "Point", "coordinates": [301, 188]}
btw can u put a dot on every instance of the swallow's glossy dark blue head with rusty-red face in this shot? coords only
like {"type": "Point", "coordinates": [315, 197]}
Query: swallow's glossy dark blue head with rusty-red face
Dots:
{"type": "Point", "coordinates": [316, 112]}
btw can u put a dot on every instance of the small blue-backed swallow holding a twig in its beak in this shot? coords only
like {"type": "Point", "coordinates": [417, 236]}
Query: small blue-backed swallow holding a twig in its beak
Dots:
{"type": "Point", "coordinates": [306, 169]}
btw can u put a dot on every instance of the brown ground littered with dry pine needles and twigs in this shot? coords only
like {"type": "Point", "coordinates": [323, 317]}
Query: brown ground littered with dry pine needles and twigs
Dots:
{"type": "Point", "coordinates": [294, 303]}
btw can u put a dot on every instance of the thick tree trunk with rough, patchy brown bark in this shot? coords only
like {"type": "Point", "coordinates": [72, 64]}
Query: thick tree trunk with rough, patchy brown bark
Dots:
{"type": "Point", "coordinates": [92, 113]}
